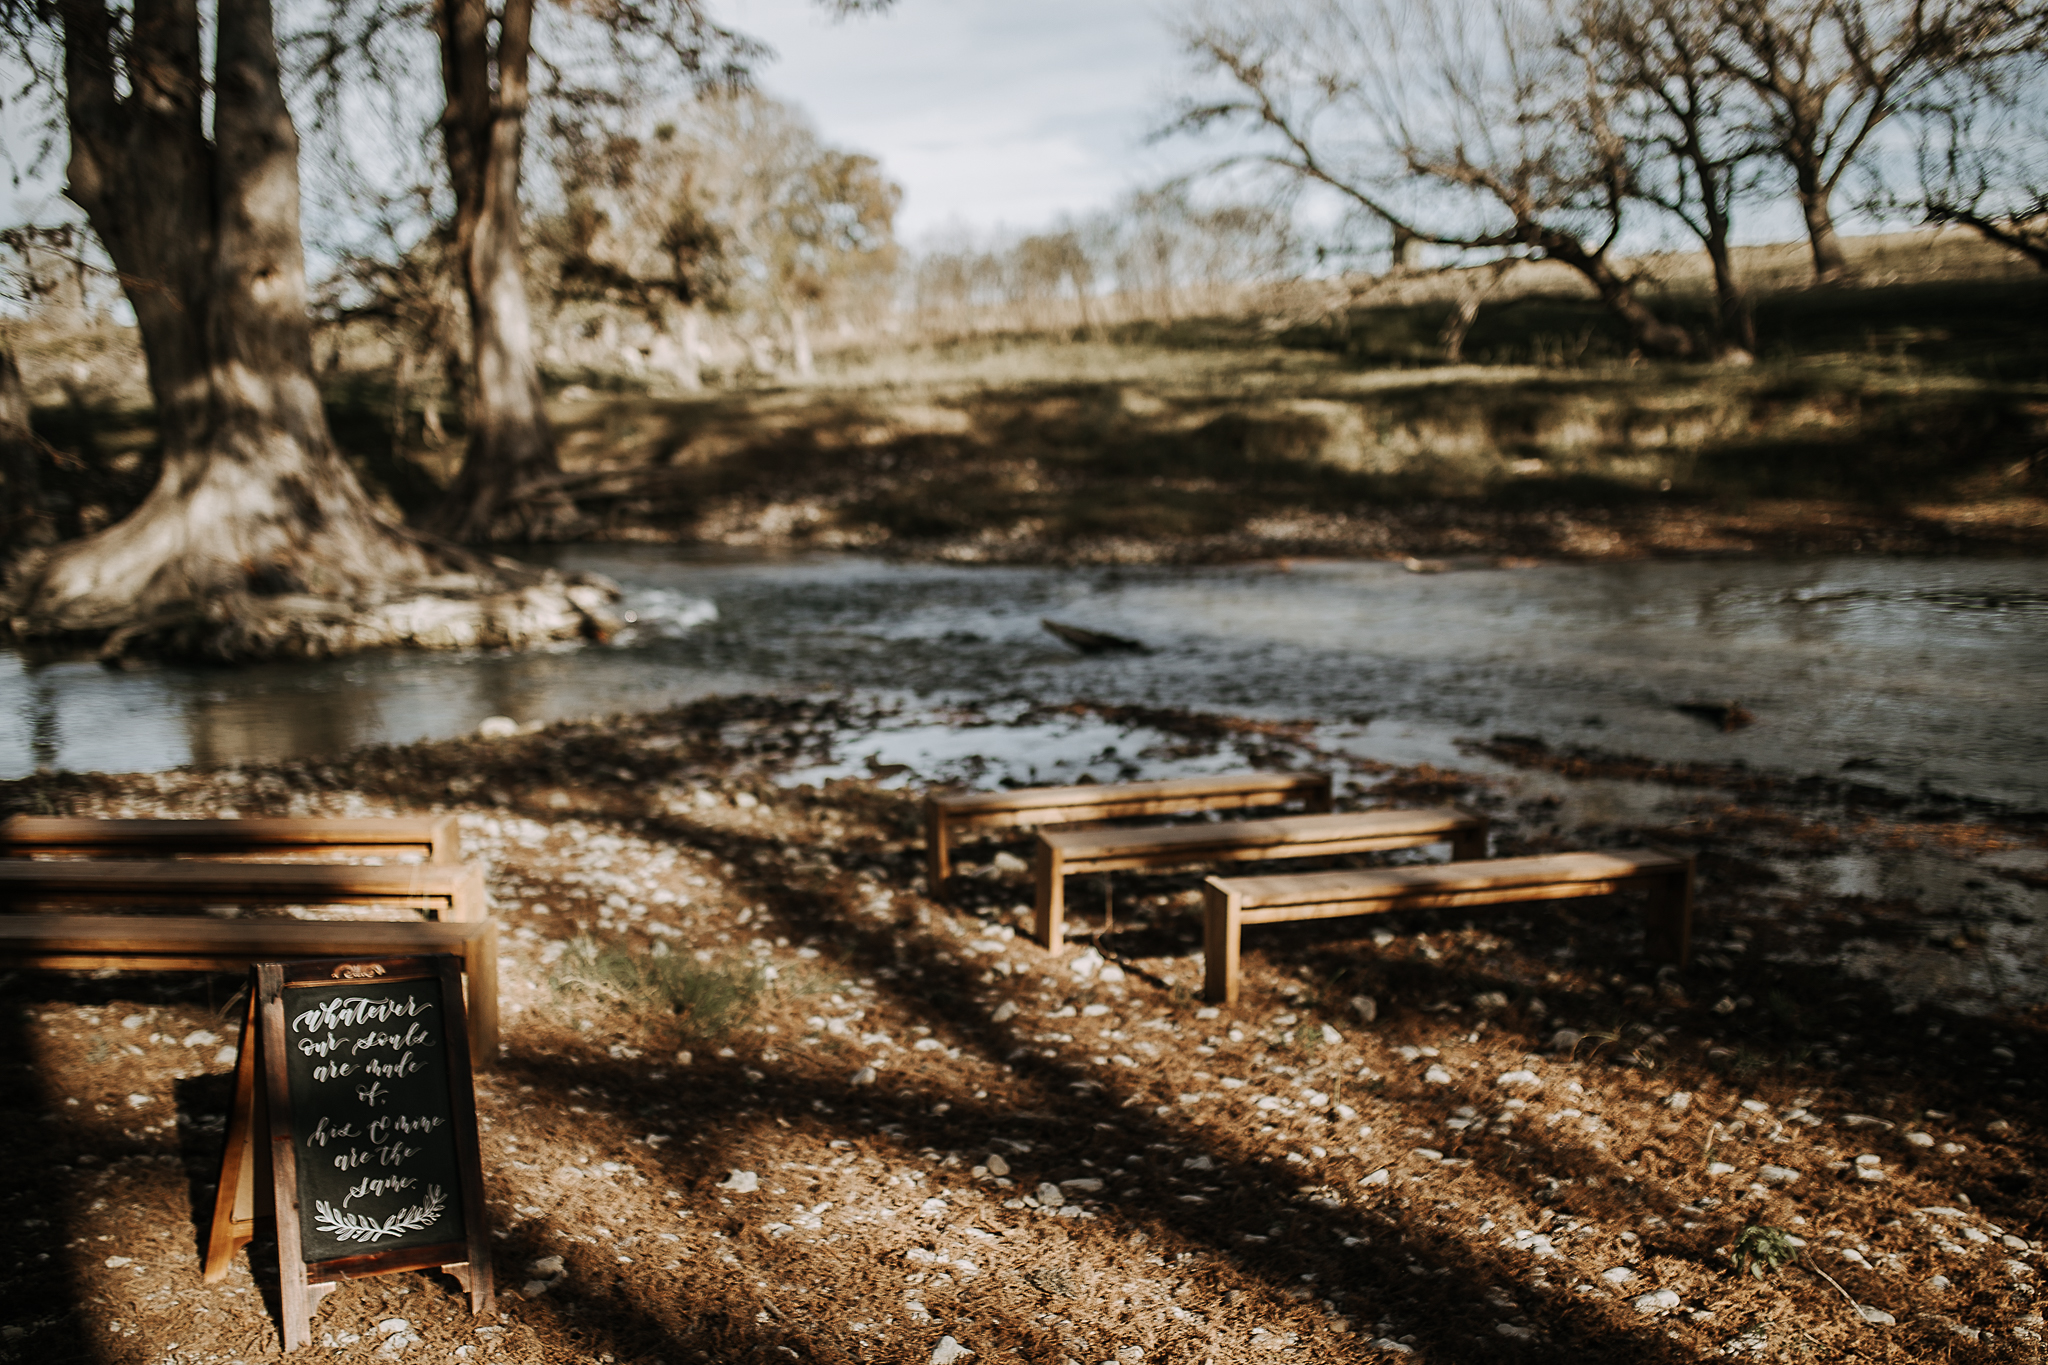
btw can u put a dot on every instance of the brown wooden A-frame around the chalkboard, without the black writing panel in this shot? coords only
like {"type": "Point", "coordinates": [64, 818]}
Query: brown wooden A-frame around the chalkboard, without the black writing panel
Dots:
{"type": "Point", "coordinates": [261, 1165]}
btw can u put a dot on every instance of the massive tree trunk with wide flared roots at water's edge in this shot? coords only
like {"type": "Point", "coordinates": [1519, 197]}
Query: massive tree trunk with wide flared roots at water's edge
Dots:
{"type": "Point", "coordinates": [257, 539]}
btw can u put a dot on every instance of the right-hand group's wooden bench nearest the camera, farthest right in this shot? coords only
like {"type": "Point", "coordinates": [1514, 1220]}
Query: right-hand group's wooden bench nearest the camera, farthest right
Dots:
{"type": "Point", "coordinates": [1234, 904]}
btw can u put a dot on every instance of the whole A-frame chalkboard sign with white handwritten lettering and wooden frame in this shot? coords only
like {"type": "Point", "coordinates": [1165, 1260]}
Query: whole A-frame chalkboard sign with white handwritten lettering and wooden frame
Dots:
{"type": "Point", "coordinates": [370, 1129]}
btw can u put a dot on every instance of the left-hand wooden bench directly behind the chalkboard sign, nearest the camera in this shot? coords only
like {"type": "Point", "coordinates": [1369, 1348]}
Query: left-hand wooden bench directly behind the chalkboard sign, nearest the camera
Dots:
{"type": "Point", "coordinates": [200, 944]}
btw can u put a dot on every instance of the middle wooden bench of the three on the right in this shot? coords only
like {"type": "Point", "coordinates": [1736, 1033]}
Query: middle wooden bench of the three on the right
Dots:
{"type": "Point", "coordinates": [1068, 852]}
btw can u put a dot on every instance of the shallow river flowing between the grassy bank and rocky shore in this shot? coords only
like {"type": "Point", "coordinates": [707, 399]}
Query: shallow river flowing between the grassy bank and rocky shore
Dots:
{"type": "Point", "coordinates": [1904, 672]}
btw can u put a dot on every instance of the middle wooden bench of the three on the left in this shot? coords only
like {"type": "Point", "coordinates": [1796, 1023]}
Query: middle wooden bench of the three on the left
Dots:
{"type": "Point", "coordinates": [447, 891]}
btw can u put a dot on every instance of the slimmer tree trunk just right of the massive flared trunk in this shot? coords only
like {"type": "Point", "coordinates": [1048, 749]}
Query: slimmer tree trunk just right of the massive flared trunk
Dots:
{"type": "Point", "coordinates": [507, 488]}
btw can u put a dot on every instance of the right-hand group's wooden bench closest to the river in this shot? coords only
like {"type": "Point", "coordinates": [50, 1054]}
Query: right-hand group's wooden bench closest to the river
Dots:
{"type": "Point", "coordinates": [1062, 805]}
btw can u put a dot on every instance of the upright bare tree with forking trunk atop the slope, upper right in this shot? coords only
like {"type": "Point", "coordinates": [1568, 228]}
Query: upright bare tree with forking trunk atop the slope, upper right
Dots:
{"type": "Point", "coordinates": [1830, 73]}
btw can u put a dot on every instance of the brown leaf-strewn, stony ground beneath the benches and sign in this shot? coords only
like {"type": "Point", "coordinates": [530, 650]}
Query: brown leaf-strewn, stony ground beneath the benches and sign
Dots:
{"type": "Point", "coordinates": [919, 1137]}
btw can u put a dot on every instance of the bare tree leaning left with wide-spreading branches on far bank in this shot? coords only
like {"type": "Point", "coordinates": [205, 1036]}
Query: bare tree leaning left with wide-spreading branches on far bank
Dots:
{"type": "Point", "coordinates": [1461, 126]}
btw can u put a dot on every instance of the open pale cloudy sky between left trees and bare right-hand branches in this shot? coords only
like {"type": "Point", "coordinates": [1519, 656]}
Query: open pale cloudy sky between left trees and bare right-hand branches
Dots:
{"type": "Point", "coordinates": [986, 112]}
